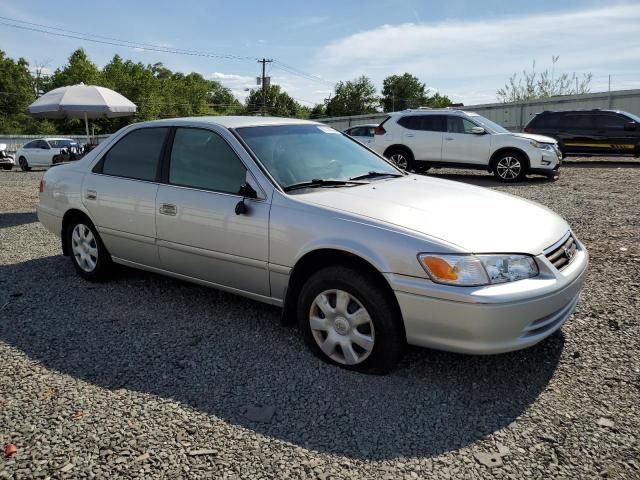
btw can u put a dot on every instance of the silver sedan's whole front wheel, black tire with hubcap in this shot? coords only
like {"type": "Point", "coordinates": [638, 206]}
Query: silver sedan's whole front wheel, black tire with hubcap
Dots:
{"type": "Point", "coordinates": [331, 301]}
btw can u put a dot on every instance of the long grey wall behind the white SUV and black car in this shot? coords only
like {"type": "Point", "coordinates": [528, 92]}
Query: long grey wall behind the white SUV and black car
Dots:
{"type": "Point", "coordinates": [514, 116]}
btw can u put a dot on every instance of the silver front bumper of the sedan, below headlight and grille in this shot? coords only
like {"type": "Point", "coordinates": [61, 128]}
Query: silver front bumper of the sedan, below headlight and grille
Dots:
{"type": "Point", "coordinates": [492, 319]}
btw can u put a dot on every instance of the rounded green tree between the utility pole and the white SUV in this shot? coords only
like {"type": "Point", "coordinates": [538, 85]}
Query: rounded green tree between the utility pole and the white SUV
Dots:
{"type": "Point", "coordinates": [353, 97]}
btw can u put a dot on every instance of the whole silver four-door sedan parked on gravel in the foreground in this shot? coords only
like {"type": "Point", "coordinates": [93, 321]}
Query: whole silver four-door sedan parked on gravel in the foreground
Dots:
{"type": "Point", "coordinates": [363, 256]}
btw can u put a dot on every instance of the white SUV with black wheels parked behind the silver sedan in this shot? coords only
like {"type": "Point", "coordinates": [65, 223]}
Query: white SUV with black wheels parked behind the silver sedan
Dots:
{"type": "Point", "coordinates": [423, 138]}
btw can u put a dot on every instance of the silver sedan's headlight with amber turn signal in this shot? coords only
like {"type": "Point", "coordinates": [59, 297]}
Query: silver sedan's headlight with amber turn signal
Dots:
{"type": "Point", "coordinates": [476, 270]}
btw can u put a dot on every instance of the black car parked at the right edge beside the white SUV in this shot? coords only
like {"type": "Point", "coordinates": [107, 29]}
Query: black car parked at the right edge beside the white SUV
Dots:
{"type": "Point", "coordinates": [591, 132]}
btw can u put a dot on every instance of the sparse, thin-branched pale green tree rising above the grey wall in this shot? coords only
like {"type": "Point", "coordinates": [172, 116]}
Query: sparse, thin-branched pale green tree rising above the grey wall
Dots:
{"type": "Point", "coordinates": [532, 84]}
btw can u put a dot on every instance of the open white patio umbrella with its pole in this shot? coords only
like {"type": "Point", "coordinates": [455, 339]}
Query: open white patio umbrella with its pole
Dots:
{"type": "Point", "coordinates": [82, 101]}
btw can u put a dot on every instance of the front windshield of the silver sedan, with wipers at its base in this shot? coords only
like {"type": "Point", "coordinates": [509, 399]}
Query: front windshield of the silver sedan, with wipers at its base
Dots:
{"type": "Point", "coordinates": [296, 154]}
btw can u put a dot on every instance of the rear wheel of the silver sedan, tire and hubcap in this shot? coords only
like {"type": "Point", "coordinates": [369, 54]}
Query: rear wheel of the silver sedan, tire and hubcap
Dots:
{"type": "Point", "coordinates": [88, 254]}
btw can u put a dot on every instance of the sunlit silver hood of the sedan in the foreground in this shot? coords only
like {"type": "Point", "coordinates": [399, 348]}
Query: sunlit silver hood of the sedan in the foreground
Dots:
{"type": "Point", "coordinates": [474, 219]}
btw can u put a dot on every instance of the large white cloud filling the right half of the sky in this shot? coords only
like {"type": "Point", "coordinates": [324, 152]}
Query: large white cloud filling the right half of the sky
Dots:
{"type": "Point", "coordinates": [470, 60]}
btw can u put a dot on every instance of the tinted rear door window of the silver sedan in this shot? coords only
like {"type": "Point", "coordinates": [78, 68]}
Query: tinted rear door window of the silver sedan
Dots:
{"type": "Point", "coordinates": [137, 155]}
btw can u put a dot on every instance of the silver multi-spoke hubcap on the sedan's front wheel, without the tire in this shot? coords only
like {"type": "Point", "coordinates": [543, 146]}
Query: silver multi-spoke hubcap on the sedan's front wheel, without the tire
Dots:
{"type": "Point", "coordinates": [342, 327]}
